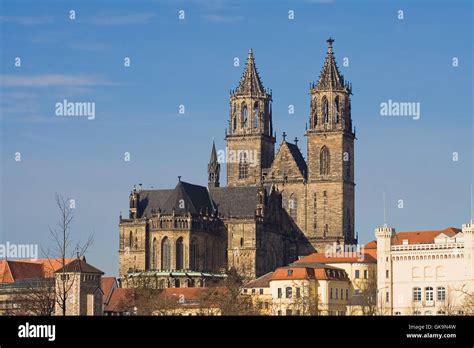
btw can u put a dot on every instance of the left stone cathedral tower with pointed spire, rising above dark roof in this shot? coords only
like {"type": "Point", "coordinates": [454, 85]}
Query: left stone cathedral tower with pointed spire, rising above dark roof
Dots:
{"type": "Point", "coordinates": [250, 144]}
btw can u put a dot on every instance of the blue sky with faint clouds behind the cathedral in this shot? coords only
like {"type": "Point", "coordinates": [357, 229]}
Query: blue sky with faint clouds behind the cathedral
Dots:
{"type": "Point", "coordinates": [190, 62]}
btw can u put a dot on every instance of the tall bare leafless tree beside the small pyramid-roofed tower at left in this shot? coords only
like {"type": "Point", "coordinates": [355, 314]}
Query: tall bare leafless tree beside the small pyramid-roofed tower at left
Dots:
{"type": "Point", "coordinates": [62, 240]}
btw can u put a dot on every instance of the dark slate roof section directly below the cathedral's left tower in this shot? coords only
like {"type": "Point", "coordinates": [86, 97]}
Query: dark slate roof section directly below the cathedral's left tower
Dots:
{"type": "Point", "coordinates": [236, 201]}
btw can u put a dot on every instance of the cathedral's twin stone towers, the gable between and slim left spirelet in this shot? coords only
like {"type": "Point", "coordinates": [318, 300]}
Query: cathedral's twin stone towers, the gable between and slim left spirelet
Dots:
{"type": "Point", "coordinates": [318, 193]}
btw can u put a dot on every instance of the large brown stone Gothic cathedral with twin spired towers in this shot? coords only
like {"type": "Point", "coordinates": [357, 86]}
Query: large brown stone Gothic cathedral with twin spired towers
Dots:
{"type": "Point", "coordinates": [274, 207]}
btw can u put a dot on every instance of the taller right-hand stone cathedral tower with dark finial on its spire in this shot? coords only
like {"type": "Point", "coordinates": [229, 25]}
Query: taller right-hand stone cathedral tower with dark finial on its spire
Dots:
{"type": "Point", "coordinates": [330, 159]}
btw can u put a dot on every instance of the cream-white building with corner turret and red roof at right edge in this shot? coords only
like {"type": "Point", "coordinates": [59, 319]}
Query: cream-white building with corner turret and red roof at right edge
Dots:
{"type": "Point", "coordinates": [425, 272]}
